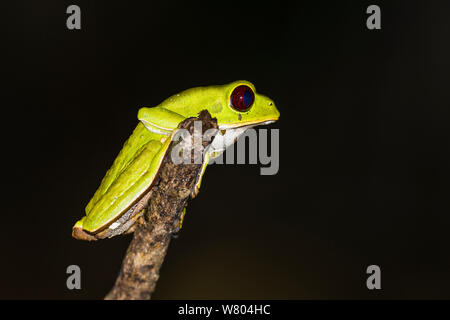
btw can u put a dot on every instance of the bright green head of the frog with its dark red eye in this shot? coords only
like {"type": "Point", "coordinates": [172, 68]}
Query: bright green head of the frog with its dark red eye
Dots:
{"type": "Point", "coordinates": [238, 104]}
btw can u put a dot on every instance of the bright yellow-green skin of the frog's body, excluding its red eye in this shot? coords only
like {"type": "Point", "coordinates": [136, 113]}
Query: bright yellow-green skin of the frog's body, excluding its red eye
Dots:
{"type": "Point", "coordinates": [135, 168]}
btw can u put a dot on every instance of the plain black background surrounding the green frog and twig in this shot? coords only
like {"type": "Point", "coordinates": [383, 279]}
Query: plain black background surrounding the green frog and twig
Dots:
{"type": "Point", "coordinates": [364, 145]}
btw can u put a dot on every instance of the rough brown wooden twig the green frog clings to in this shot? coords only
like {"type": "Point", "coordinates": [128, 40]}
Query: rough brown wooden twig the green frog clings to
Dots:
{"type": "Point", "coordinates": [140, 268]}
